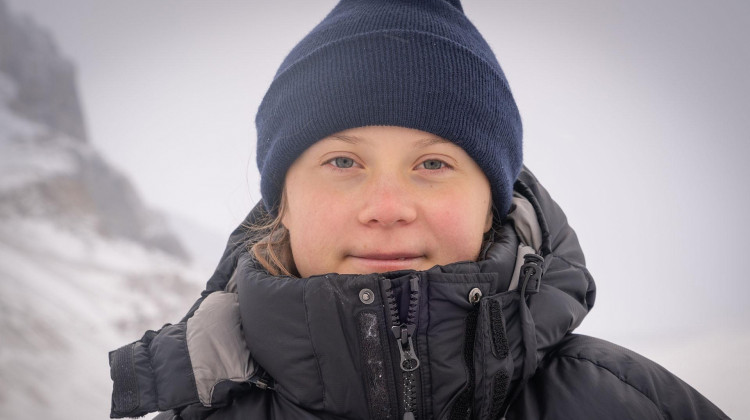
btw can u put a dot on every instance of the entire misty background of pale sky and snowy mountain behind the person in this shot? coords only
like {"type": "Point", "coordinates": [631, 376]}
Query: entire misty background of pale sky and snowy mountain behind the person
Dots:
{"type": "Point", "coordinates": [634, 119]}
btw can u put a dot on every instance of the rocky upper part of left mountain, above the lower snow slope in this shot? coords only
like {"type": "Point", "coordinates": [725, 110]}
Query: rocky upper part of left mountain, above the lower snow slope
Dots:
{"type": "Point", "coordinates": [48, 167]}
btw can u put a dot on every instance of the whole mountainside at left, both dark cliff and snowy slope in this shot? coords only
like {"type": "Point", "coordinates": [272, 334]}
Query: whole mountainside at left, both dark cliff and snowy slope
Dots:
{"type": "Point", "coordinates": [85, 265]}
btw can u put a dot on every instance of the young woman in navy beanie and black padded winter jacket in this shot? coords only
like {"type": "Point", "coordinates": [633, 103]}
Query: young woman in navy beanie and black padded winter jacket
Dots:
{"type": "Point", "coordinates": [403, 263]}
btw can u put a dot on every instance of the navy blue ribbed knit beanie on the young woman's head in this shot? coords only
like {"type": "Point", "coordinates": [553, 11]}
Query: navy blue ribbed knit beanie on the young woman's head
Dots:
{"type": "Point", "coordinates": [412, 63]}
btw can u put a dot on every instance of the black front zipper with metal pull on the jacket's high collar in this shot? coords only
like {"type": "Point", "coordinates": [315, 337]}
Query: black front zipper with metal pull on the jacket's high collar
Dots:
{"type": "Point", "coordinates": [403, 332]}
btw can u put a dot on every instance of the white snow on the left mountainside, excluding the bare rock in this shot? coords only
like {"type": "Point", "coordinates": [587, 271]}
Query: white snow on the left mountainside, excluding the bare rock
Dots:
{"type": "Point", "coordinates": [68, 294]}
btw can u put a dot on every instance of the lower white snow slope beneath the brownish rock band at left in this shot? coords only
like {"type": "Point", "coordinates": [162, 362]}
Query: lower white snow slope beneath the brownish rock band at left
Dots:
{"type": "Point", "coordinates": [65, 302]}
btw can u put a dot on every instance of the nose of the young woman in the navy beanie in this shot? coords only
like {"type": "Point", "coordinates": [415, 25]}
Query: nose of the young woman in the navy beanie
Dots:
{"type": "Point", "coordinates": [387, 202]}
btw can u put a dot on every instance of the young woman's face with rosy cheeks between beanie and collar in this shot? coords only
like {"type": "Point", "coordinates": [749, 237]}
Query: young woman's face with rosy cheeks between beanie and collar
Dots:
{"type": "Point", "coordinates": [382, 198]}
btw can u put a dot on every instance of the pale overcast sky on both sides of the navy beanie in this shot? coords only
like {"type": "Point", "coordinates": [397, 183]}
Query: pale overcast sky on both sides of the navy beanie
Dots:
{"type": "Point", "coordinates": [635, 118]}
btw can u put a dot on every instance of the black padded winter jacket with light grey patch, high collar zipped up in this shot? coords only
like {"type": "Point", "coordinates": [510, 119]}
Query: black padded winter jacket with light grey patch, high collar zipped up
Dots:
{"type": "Point", "coordinates": [470, 340]}
